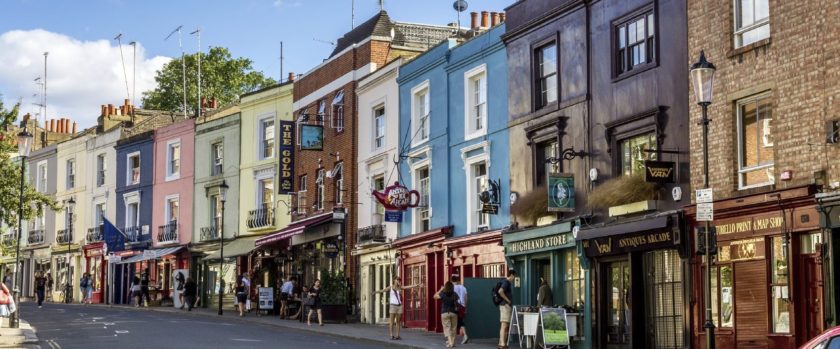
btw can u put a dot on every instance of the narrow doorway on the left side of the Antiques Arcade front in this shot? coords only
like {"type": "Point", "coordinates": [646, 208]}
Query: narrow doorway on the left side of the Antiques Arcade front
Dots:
{"type": "Point", "coordinates": [619, 312]}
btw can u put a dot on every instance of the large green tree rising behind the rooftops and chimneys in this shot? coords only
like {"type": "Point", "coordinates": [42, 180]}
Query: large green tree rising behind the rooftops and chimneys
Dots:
{"type": "Point", "coordinates": [222, 77]}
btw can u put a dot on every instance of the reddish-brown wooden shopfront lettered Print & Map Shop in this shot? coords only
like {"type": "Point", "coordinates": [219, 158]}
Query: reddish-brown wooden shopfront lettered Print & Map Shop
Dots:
{"type": "Point", "coordinates": [768, 274]}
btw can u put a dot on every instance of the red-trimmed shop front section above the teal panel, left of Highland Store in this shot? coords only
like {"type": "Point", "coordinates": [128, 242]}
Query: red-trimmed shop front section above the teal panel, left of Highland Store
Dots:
{"type": "Point", "coordinates": [476, 255]}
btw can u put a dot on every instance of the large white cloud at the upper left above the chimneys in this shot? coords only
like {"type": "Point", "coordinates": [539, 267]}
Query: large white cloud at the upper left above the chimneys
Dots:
{"type": "Point", "coordinates": [82, 75]}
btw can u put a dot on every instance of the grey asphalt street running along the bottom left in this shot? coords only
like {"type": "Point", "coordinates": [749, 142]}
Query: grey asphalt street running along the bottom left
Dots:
{"type": "Point", "coordinates": [62, 326]}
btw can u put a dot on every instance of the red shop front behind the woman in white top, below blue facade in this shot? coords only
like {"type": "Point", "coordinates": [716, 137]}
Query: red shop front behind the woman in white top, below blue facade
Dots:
{"type": "Point", "coordinates": [422, 262]}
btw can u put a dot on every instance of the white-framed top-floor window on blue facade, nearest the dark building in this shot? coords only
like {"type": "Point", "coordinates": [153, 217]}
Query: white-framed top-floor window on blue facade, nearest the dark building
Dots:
{"type": "Point", "coordinates": [471, 129]}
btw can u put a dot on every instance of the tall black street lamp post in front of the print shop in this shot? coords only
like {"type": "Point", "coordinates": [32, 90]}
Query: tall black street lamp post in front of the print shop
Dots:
{"type": "Point", "coordinates": [703, 77]}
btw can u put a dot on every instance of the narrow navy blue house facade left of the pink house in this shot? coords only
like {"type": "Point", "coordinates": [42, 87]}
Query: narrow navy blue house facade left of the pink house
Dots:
{"type": "Point", "coordinates": [141, 145]}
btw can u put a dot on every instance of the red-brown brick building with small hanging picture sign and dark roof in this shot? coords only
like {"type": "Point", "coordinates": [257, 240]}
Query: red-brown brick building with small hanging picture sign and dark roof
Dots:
{"type": "Point", "coordinates": [325, 149]}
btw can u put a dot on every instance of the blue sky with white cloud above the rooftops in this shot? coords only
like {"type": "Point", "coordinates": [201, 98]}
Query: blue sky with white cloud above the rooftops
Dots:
{"type": "Point", "coordinates": [79, 36]}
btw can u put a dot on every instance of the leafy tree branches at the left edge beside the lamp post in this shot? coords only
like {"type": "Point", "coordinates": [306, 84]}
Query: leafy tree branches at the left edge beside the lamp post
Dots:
{"type": "Point", "coordinates": [34, 202]}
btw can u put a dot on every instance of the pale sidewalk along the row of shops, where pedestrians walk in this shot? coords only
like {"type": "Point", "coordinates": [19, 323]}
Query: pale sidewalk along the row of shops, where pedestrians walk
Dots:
{"type": "Point", "coordinates": [411, 338]}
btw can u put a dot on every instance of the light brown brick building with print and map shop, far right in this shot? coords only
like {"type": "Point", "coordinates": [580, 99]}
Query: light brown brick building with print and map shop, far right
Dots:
{"type": "Point", "coordinates": [772, 163]}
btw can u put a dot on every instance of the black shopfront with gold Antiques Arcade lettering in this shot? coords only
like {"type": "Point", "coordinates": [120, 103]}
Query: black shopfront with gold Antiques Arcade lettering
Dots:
{"type": "Point", "coordinates": [639, 268]}
